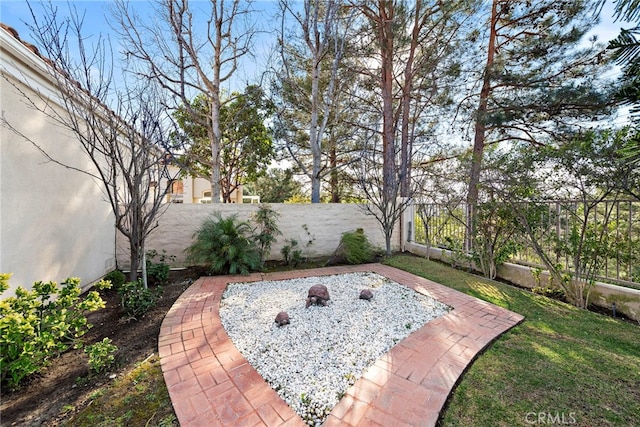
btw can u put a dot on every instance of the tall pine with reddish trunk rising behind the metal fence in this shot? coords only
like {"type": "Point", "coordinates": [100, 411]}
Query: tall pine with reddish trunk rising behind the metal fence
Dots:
{"type": "Point", "coordinates": [540, 80]}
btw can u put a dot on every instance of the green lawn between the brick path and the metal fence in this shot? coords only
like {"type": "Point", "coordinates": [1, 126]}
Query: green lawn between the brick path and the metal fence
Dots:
{"type": "Point", "coordinates": [560, 362]}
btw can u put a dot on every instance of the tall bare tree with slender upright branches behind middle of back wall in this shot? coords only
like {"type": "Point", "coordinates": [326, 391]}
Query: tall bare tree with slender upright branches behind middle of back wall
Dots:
{"type": "Point", "coordinates": [310, 62]}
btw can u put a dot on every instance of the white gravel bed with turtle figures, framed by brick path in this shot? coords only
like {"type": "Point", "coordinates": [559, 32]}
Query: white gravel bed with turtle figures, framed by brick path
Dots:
{"type": "Point", "coordinates": [312, 361]}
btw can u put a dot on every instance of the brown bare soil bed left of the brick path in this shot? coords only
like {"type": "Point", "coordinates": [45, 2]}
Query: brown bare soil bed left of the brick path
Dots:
{"type": "Point", "coordinates": [40, 401]}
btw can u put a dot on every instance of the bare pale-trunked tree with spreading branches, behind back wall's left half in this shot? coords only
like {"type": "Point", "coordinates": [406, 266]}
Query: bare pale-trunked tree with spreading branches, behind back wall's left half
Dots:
{"type": "Point", "coordinates": [189, 51]}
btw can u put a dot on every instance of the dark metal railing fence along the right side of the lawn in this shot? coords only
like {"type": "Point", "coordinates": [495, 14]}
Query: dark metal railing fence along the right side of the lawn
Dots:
{"type": "Point", "coordinates": [564, 230]}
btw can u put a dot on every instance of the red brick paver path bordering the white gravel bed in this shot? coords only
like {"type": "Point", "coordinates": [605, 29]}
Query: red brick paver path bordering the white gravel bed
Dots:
{"type": "Point", "coordinates": [212, 384]}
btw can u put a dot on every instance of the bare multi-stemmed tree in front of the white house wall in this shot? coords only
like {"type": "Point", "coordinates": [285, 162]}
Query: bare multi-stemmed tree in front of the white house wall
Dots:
{"type": "Point", "coordinates": [125, 142]}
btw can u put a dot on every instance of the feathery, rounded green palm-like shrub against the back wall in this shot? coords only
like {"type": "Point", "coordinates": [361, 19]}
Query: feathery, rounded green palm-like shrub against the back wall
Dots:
{"type": "Point", "coordinates": [225, 245]}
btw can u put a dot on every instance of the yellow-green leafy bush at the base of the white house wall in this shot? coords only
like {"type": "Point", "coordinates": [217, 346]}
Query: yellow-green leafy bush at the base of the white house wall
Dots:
{"type": "Point", "coordinates": [40, 324]}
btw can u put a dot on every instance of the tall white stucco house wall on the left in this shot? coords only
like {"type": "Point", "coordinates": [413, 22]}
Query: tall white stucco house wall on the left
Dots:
{"type": "Point", "coordinates": [54, 222]}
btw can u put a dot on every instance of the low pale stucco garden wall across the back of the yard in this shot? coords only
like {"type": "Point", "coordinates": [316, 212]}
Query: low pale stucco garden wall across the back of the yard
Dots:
{"type": "Point", "coordinates": [325, 223]}
